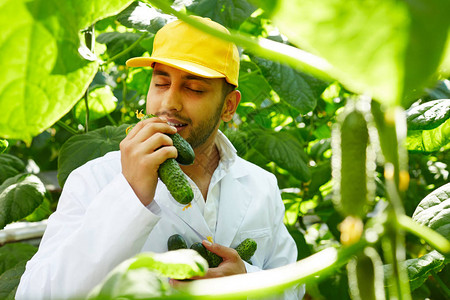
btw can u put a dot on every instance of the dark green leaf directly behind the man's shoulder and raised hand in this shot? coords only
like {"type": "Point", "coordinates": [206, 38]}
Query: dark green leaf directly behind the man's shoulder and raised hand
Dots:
{"type": "Point", "coordinates": [80, 149]}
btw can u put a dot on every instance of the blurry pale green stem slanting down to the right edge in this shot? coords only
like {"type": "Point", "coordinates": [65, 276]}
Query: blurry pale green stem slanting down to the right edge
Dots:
{"type": "Point", "coordinates": [433, 238]}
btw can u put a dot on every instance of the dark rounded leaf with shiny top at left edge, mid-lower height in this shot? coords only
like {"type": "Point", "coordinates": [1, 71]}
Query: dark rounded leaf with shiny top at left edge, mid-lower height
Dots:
{"type": "Point", "coordinates": [19, 196]}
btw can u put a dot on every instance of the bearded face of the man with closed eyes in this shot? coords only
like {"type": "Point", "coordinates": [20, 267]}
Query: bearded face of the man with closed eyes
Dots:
{"type": "Point", "coordinates": [191, 103]}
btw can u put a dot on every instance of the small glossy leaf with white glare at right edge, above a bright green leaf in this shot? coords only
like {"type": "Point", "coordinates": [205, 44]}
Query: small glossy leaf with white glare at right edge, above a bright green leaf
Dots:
{"type": "Point", "coordinates": [428, 115]}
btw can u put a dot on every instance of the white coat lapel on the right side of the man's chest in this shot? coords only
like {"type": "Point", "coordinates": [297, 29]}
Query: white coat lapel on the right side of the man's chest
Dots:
{"type": "Point", "coordinates": [235, 200]}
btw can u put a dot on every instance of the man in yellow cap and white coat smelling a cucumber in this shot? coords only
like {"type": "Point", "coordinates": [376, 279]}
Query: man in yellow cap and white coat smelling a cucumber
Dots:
{"type": "Point", "coordinates": [115, 207]}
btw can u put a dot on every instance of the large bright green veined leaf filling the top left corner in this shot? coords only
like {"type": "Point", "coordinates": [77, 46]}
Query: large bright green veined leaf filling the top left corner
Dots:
{"type": "Point", "coordinates": [44, 73]}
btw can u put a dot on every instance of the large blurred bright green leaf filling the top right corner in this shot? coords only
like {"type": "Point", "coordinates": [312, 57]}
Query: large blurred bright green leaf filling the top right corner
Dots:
{"type": "Point", "coordinates": [385, 48]}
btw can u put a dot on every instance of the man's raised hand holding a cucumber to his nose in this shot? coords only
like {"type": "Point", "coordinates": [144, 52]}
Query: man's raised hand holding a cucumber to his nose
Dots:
{"type": "Point", "coordinates": [142, 151]}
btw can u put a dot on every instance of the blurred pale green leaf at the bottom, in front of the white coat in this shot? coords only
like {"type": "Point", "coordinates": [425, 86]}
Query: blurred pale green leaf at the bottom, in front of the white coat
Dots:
{"type": "Point", "coordinates": [144, 276]}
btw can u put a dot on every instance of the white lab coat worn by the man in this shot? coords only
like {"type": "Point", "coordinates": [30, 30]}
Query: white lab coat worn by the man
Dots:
{"type": "Point", "coordinates": [100, 222]}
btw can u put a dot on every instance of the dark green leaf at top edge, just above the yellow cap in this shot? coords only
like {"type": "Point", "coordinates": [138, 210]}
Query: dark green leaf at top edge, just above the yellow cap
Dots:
{"type": "Point", "coordinates": [229, 13]}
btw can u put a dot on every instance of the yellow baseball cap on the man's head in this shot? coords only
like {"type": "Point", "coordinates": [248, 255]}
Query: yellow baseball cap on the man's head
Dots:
{"type": "Point", "coordinates": [187, 48]}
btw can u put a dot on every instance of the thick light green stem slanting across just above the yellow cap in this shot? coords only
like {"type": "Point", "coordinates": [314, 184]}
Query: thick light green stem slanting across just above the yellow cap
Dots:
{"type": "Point", "coordinates": [280, 52]}
